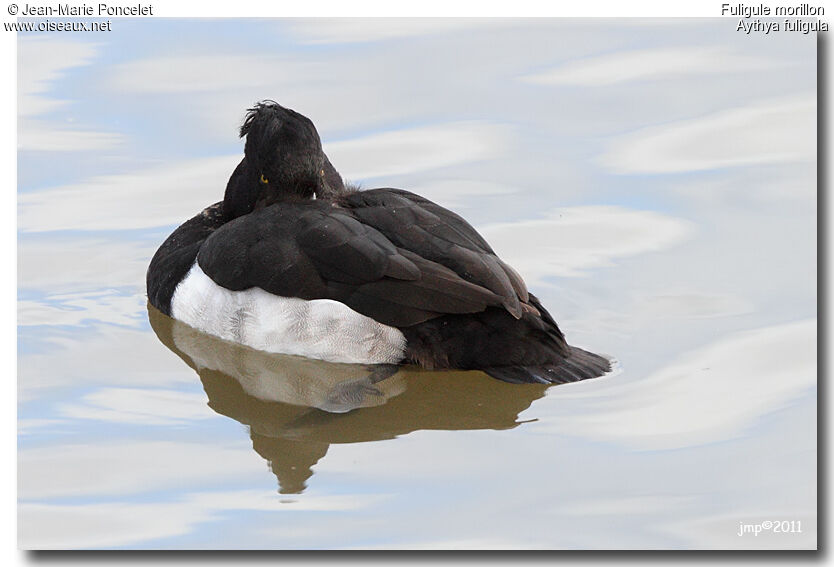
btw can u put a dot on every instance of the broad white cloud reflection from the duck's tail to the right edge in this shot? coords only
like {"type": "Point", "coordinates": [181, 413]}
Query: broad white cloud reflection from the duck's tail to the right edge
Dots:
{"type": "Point", "coordinates": [711, 394]}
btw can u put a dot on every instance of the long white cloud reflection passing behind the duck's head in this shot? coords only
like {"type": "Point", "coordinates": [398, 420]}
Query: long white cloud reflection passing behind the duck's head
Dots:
{"type": "Point", "coordinates": [171, 194]}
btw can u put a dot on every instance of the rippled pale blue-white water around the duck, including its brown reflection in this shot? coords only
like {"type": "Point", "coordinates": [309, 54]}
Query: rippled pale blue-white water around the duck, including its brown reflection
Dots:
{"type": "Point", "coordinates": [653, 181]}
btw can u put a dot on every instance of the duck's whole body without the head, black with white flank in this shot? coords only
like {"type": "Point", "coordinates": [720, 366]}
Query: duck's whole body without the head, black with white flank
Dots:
{"type": "Point", "coordinates": [406, 279]}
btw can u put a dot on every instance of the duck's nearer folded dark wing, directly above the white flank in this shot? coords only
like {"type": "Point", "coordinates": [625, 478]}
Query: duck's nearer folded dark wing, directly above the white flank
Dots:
{"type": "Point", "coordinates": [313, 250]}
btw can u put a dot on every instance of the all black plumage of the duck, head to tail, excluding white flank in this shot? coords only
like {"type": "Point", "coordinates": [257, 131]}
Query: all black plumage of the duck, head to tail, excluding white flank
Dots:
{"type": "Point", "coordinates": [386, 253]}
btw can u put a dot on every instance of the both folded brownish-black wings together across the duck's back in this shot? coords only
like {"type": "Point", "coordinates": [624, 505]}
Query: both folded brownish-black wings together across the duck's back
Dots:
{"type": "Point", "coordinates": [387, 254]}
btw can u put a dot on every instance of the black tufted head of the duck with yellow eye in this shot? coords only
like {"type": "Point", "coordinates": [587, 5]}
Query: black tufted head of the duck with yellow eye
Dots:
{"type": "Point", "coordinates": [283, 160]}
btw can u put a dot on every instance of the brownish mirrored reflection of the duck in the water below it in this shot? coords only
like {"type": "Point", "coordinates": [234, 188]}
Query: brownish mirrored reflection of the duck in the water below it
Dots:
{"type": "Point", "coordinates": [296, 407]}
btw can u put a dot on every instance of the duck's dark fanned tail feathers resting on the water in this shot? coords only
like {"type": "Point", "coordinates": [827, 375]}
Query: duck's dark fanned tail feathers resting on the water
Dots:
{"type": "Point", "coordinates": [579, 365]}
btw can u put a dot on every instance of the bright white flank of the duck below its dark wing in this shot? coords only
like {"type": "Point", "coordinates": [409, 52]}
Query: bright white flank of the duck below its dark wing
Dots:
{"type": "Point", "coordinates": [321, 328]}
